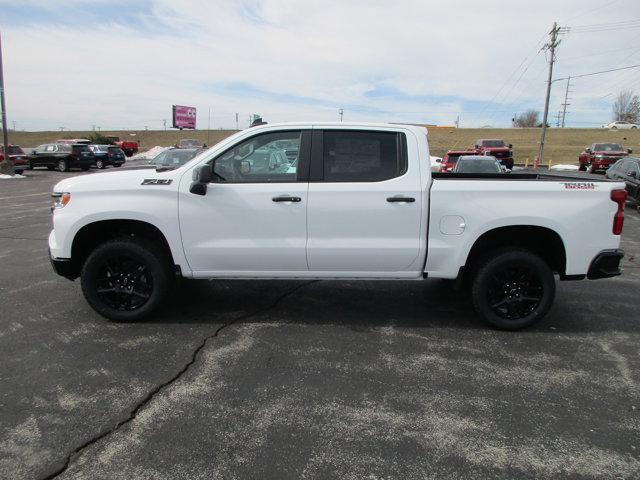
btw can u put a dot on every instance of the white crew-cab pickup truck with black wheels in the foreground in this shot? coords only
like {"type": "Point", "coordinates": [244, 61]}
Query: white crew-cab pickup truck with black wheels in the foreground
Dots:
{"type": "Point", "coordinates": [333, 201]}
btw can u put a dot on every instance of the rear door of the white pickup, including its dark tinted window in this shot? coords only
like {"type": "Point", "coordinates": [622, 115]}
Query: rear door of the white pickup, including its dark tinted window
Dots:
{"type": "Point", "coordinates": [365, 203]}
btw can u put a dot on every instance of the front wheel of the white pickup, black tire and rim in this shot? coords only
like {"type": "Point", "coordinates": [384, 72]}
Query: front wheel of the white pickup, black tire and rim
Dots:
{"type": "Point", "coordinates": [126, 279]}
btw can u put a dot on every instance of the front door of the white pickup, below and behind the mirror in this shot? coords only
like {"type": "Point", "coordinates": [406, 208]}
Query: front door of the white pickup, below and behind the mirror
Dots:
{"type": "Point", "coordinates": [253, 219]}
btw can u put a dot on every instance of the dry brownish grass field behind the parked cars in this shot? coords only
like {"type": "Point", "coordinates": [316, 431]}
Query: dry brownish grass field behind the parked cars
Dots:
{"type": "Point", "coordinates": [562, 146]}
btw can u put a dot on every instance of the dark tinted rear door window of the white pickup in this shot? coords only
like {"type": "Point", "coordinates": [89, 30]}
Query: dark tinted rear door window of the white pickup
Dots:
{"type": "Point", "coordinates": [351, 156]}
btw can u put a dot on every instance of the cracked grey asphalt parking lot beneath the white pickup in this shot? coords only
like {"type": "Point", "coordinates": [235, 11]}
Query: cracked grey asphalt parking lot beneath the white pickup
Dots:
{"type": "Point", "coordinates": [308, 379]}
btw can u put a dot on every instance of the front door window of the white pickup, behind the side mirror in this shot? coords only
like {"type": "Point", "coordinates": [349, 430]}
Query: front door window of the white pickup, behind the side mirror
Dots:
{"type": "Point", "coordinates": [270, 157]}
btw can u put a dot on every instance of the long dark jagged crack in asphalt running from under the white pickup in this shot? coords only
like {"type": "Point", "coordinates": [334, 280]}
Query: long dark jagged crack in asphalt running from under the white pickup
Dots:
{"type": "Point", "coordinates": [76, 452]}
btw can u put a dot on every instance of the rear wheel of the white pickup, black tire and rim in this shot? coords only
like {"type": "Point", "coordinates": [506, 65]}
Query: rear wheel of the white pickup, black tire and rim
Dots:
{"type": "Point", "coordinates": [513, 289]}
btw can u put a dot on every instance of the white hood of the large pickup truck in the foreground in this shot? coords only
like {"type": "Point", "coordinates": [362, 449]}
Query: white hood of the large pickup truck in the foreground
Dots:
{"type": "Point", "coordinates": [114, 180]}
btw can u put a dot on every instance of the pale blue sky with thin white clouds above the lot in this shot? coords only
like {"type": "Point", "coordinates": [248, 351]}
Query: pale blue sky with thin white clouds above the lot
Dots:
{"type": "Point", "coordinates": [122, 64]}
